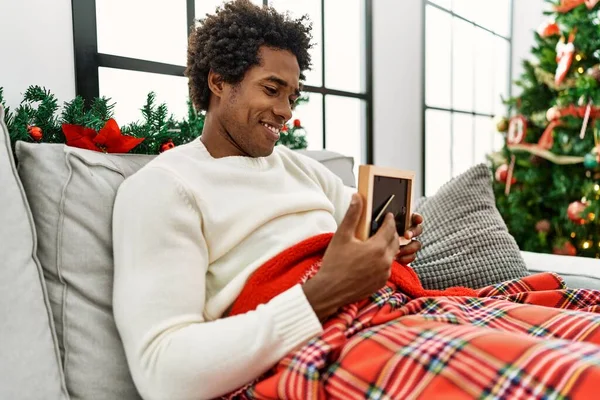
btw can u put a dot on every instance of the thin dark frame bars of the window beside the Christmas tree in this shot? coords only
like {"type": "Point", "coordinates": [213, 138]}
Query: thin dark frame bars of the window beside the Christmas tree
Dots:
{"type": "Point", "coordinates": [451, 110]}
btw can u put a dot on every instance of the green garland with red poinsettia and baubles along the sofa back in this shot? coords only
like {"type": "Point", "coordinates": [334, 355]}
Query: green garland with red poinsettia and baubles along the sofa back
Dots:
{"type": "Point", "coordinates": [39, 119]}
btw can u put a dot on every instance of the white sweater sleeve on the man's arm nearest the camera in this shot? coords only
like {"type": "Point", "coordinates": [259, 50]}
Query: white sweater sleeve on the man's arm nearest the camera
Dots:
{"type": "Point", "coordinates": [161, 262]}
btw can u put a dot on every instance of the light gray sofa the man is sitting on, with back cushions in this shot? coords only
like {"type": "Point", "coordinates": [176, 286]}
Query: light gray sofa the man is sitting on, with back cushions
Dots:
{"type": "Point", "coordinates": [58, 338]}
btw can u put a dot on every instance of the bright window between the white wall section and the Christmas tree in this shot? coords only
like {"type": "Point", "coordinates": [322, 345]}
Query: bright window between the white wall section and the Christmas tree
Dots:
{"type": "Point", "coordinates": [467, 74]}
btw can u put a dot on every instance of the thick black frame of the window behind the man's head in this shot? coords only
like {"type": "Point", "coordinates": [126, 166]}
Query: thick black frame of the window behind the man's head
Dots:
{"type": "Point", "coordinates": [88, 61]}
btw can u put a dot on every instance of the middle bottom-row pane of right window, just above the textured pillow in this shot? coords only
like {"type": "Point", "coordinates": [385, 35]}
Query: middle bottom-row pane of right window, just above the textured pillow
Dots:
{"type": "Point", "coordinates": [462, 143]}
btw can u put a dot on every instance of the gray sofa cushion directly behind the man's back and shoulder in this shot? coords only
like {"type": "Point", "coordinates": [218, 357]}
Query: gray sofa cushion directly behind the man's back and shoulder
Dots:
{"type": "Point", "coordinates": [71, 192]}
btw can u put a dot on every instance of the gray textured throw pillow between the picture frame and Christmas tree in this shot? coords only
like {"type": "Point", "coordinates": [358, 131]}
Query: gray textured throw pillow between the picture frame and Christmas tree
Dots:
{"type": "Point", "coordinates": [465, 241]}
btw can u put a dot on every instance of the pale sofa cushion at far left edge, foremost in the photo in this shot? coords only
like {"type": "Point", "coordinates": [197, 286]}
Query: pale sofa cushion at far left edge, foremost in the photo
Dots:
{"type": "Point", "coordinates": [30, 363]}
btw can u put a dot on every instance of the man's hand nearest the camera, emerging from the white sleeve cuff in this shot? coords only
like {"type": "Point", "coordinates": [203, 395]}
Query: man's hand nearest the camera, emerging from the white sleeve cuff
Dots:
{"type": "Point", "coordinates": [351, 269]}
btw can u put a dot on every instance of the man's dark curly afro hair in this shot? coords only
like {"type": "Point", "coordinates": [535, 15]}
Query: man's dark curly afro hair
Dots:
{"type": "Point", "coordinates": [228, 42]}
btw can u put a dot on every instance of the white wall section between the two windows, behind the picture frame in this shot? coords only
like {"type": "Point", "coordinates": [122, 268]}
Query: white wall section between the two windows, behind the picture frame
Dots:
{"type": "Point", "coordinates": [397, 92]}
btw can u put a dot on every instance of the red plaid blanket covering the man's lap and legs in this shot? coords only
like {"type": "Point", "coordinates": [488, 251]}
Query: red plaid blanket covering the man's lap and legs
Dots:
{"type": "Point", "coordinates": [529, 338]}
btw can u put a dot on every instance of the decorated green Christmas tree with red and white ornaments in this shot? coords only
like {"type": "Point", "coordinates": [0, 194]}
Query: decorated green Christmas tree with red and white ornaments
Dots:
{"type": "Point", "coordinates": [547, 176]}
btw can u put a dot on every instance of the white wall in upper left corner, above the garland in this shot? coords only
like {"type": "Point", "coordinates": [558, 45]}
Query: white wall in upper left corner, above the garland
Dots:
{"type": "Point", "coordinates": [37, 48]}
